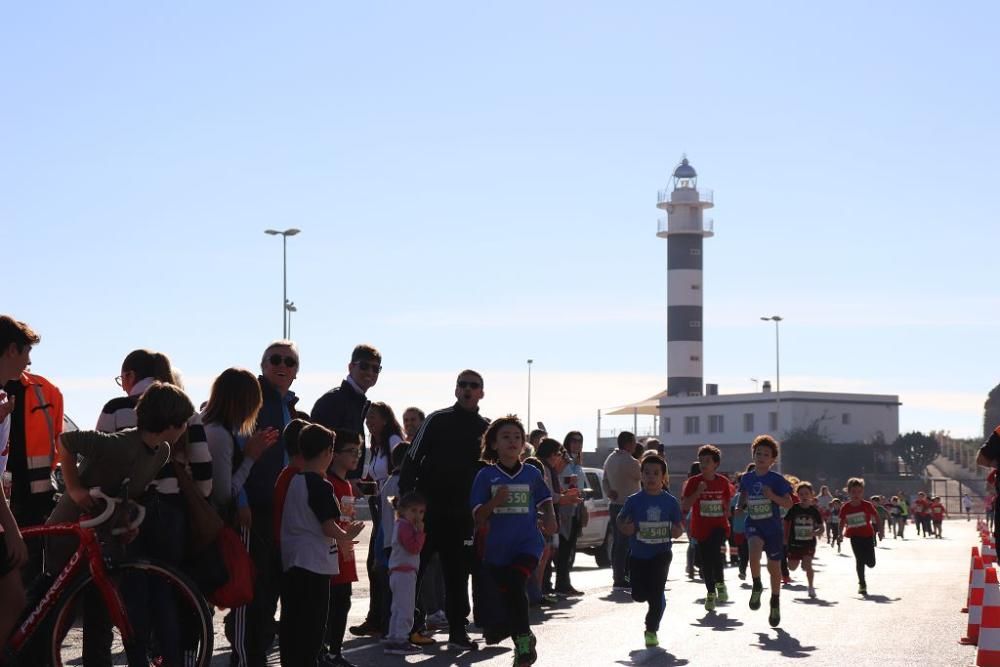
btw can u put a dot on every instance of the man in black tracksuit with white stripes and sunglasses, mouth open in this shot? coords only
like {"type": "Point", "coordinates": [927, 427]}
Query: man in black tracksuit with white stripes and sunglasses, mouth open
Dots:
{"type": "Point", "coordinates": [442, 464]}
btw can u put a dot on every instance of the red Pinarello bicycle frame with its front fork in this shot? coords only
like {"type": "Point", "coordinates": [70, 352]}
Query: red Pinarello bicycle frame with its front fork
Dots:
{"type": "Point", "coordinates": [88, 551]}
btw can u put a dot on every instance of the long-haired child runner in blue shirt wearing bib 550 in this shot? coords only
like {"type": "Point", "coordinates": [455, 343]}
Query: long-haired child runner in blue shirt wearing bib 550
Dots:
{"type": "Point", "coordinates": [507, 495]}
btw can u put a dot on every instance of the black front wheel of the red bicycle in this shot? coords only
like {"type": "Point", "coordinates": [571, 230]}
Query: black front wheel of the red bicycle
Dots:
{"type": "Point", "coordinates": [171, 621]}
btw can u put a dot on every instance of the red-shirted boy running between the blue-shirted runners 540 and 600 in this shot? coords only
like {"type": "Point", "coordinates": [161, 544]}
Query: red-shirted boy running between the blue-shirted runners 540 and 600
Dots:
{"type": "Point", "coordinates": [708, 496]}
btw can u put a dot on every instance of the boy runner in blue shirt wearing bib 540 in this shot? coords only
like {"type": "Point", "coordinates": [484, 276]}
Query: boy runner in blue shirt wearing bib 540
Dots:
{"type": "Point", "coordinates": [651, 518]}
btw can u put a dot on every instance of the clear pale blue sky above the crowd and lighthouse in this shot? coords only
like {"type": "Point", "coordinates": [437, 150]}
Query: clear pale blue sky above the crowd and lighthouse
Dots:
{"type": "Point", "coordinates": [476, 186]}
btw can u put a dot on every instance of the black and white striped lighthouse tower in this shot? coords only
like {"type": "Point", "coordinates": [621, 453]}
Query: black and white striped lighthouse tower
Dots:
{"type": "Point", "coordinates": [684, 228]}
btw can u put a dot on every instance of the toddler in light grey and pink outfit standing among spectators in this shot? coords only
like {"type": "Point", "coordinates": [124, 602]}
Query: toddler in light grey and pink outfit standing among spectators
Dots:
{"type": "Point", "coordinates": [404, 561]}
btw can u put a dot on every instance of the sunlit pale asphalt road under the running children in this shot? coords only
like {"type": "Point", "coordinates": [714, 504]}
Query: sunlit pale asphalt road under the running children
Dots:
{"type": "Point", "coordinates": [910, 617]}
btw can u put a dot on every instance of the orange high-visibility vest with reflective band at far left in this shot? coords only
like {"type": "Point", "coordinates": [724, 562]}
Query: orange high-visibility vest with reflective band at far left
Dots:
{"type": "Point", "coordinates": [43, 423]}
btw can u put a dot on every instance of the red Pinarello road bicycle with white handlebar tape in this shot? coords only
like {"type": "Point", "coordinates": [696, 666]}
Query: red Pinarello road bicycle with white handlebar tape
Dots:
{"type": "Point", "coordinates": [107, 582]}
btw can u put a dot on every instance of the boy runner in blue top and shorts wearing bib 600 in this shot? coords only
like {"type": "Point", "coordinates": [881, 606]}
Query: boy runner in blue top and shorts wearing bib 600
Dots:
{"type": "Point", "coordinates": [764, 493]}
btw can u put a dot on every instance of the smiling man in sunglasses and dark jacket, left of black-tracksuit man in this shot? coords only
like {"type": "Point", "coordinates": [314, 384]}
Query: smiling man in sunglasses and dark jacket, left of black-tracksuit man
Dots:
{"type": "Point", "coordinates": [346, 406]}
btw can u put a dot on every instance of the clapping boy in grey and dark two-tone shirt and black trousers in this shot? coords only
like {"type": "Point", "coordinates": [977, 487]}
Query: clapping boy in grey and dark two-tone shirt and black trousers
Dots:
{"type": "Point", "coordinates": [308, 554]}
